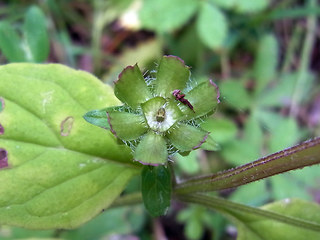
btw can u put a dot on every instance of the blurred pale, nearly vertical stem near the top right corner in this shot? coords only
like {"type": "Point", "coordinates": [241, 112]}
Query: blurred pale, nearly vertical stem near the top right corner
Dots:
{"type": "Point", "coordinates": [305, 59]}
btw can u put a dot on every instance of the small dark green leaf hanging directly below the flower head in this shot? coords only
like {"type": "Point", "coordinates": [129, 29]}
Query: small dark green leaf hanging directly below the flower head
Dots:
{"type": "Point", "coordinates": [156, 189]}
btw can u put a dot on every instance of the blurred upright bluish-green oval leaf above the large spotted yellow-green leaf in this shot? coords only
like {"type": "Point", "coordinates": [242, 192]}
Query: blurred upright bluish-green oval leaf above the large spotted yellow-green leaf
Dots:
{"type": "Point", "coordinates": [36, 35]}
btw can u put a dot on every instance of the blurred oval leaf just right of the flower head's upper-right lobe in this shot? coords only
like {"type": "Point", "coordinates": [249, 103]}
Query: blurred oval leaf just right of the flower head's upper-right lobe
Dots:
{"type": "Point", "coordinates": [235, 94]}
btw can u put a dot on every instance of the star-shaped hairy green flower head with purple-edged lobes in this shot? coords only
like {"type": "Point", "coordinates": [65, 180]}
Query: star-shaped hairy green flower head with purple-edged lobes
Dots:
{"type": "Point", "coordinates": [161, 113]}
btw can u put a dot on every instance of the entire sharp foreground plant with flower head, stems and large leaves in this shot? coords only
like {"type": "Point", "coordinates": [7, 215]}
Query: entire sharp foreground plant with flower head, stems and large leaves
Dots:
{"type": "Point", "coordinates": [59, 171]}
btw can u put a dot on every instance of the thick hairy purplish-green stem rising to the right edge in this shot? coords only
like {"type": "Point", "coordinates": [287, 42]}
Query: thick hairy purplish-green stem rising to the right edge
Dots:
{"type": "Point", "coordinates": [299, 156]}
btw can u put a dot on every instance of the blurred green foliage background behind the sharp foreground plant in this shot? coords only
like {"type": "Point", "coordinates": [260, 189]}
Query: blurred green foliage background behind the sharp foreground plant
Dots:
{"type": "Point", "coordinates": [264, 55]}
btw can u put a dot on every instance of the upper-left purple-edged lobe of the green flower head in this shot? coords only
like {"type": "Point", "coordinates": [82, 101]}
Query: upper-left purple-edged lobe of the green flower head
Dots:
{"type": "Point", "coordinates": [131, 87]}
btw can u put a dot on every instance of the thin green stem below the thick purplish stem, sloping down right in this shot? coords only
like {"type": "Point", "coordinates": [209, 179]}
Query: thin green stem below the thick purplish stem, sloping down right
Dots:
{"type": "Point", "coordinates": [231, 208]}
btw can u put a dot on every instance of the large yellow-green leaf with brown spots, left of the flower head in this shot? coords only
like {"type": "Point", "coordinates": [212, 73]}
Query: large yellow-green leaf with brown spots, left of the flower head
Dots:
{"type": "Point", "coordinates": [62, 170]}
